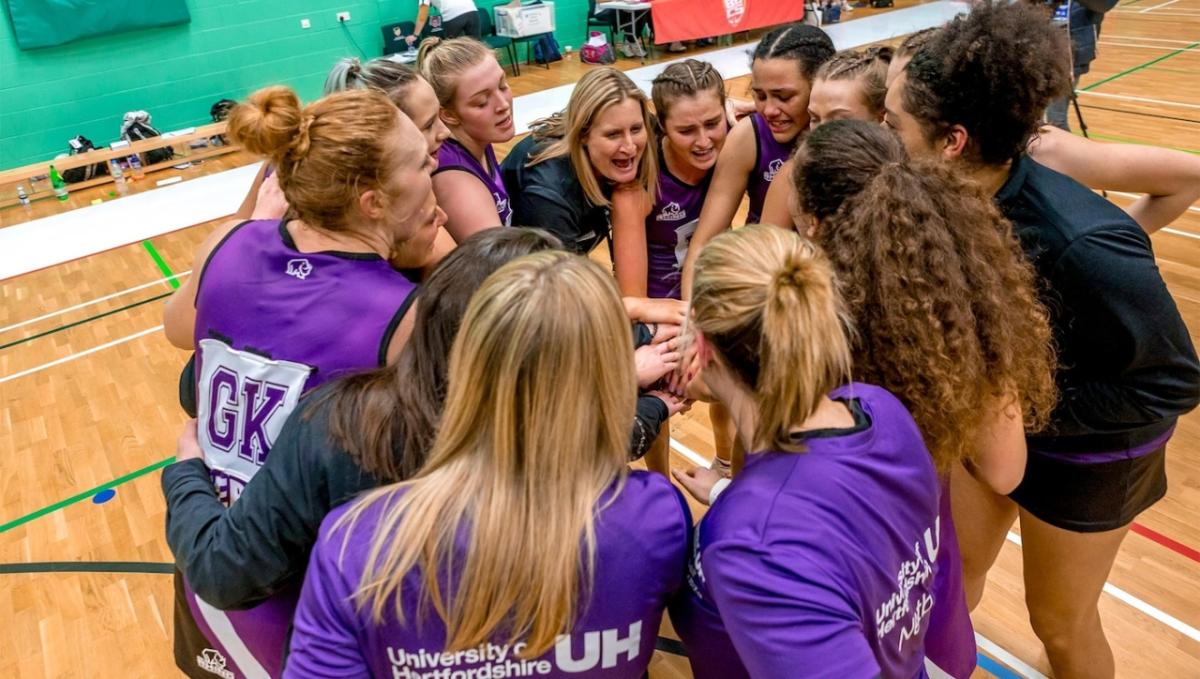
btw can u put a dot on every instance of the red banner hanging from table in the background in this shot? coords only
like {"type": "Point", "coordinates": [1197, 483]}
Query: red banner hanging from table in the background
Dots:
{"type": "Point", "coordinates": [693, 20]}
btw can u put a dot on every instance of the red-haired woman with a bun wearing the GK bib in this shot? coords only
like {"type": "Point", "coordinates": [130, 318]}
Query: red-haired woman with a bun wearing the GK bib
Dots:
{"type": "Point", "coordinates": [281, 307]}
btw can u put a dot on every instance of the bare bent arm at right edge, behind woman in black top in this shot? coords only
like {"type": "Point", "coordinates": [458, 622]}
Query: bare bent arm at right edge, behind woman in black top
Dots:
{"type": "Point", "coordinates": [1169, 179]}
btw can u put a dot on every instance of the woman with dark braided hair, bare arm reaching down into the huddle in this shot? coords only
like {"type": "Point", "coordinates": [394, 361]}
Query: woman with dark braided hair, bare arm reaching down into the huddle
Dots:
{"type": "Point", "coordinates": [782, 73]}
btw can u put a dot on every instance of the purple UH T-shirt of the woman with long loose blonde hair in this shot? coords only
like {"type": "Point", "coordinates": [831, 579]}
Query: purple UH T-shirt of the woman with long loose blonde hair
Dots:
{"type": "Point", "coordinates": [641, 552]}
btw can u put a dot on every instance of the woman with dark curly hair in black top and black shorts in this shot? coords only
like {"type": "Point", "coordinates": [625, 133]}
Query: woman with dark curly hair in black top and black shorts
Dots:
{"type": "Point", "coordinates": [973, 98]}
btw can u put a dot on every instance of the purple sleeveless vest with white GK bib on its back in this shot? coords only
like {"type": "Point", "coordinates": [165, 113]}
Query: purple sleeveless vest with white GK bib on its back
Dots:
{"type": "Point", "coordinates": [273, 323]}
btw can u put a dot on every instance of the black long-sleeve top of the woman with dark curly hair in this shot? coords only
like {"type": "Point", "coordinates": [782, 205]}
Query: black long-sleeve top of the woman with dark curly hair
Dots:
{"type": "Point", "coordinates": [1127, 365]}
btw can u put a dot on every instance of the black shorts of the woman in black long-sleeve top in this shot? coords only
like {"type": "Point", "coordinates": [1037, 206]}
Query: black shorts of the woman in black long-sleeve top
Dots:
{"type": "Point", "coordinates": [1091, 498]}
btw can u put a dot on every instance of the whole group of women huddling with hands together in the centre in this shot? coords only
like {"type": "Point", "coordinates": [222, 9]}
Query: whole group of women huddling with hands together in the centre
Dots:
{"type": "Point", "coordinates": [417, 402]}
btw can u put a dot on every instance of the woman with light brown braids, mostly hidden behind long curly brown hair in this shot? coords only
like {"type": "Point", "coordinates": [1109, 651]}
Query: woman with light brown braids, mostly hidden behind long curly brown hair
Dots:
{"type": "Point", "coordinates": [851, 86]}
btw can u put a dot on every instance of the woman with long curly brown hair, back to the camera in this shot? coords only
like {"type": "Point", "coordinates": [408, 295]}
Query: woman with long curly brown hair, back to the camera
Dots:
{"type": "Point", "coordinates": [946, 314]}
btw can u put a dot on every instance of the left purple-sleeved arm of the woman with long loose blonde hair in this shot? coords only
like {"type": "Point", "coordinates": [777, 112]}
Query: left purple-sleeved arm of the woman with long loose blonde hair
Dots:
{"type": "Point", "coordinates": [325, 633]}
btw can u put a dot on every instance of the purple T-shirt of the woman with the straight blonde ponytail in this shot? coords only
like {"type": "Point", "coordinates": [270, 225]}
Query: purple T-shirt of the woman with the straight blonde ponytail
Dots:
{"type": "Point", "coordinates": [824, 563]}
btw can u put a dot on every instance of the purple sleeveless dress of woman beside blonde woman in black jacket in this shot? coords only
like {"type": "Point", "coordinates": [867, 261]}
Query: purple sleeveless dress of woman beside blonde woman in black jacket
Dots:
{"type": "Point", "coordinates": [669, 231]}
